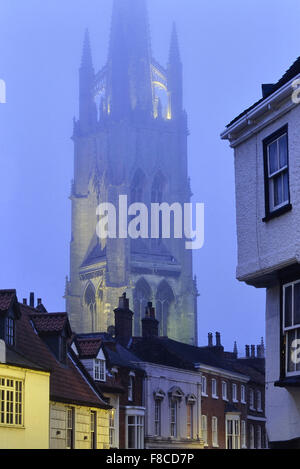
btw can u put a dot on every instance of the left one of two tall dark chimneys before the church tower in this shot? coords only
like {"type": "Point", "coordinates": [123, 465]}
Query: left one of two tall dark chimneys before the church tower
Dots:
{"type": "Point", "coordinates": [123, 321]}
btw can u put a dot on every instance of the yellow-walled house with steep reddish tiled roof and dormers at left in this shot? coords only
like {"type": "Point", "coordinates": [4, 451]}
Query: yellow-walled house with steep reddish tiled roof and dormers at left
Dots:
{"type": "Point", "coordinates": [47, 399]}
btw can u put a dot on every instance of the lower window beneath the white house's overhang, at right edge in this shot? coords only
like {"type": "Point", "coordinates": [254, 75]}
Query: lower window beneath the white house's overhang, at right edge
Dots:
{"type": "Point", "coordinates": [291, 326]}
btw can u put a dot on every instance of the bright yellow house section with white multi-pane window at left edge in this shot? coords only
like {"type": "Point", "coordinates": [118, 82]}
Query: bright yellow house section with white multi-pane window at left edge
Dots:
{"type": "Point", "coordinates": [24, 403]}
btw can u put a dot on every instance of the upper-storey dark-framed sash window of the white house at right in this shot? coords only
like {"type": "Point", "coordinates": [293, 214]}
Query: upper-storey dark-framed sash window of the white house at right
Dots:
{"type": "Point", "coordinates": [276, 171]}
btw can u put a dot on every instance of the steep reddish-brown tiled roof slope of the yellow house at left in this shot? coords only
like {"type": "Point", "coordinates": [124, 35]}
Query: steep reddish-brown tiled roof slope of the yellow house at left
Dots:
{"type": "Point", "coordinates": [69, 383]}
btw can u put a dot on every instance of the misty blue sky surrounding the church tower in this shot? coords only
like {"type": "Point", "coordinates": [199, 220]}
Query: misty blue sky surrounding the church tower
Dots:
{"type": "Point", "coordinates": [228, 49]}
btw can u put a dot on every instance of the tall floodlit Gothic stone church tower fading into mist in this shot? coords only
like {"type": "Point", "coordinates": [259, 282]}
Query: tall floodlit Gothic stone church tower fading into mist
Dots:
{"type": "Point", "coordinates": [130, 139]}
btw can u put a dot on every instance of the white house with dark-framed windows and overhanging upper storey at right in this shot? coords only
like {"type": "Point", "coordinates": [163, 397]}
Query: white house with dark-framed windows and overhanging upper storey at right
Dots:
{"type": "Point", "coordinates": [266, 143]}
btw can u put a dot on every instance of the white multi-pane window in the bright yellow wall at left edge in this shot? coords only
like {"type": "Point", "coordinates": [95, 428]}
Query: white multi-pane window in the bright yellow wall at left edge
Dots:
{"type": "Point", "coordinates": [11, 402]}
